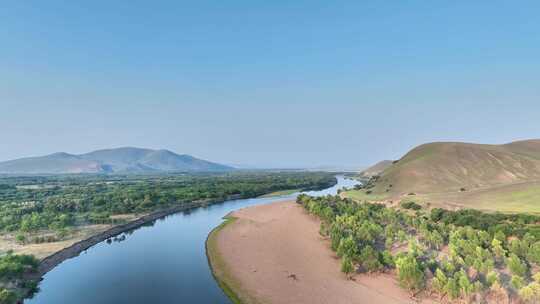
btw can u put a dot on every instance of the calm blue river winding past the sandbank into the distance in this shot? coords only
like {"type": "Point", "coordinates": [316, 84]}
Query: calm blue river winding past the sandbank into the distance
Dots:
{"type": "Point", "coordinates": [163, 263]}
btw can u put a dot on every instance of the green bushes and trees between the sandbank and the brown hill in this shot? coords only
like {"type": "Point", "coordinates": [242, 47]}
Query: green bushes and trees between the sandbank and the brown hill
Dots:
{"type": "Point", "coordinates": [461, 255]}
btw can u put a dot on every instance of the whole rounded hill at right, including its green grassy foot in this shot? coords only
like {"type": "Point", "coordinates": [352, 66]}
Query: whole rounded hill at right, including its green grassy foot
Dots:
{"type": "Point", "coordinates": [491, 177]}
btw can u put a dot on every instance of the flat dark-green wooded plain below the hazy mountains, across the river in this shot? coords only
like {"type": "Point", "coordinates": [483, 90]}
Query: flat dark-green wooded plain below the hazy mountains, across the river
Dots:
{"type": "Point", "coordinates": [30, 204]}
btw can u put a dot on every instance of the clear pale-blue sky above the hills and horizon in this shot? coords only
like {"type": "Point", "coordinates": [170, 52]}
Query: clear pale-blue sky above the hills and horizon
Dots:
{"type": "Point", "coordinates": [267, 83]}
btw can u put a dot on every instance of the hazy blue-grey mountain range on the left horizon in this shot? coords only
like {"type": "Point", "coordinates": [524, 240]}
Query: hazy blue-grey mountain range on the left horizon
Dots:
{"type": "Point", "coordinates": [120, 160]}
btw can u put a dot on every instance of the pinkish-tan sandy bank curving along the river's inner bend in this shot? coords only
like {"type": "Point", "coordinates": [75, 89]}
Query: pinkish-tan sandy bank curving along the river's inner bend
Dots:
{"type": "Point", "coordinates": [274, 254]}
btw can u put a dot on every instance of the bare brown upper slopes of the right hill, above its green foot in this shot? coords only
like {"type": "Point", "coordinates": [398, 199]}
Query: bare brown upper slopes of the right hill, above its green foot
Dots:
{"type": "Point", "coordinates": [451, 166]}
